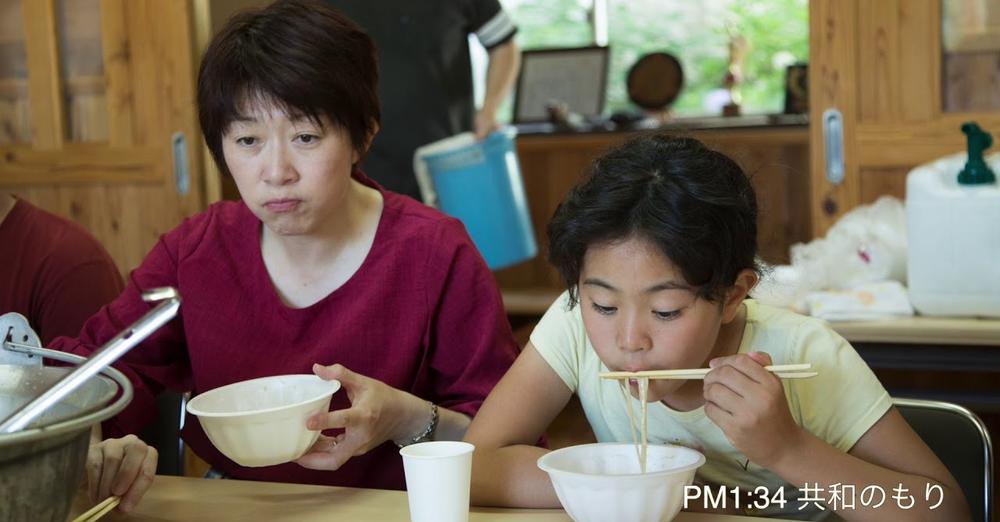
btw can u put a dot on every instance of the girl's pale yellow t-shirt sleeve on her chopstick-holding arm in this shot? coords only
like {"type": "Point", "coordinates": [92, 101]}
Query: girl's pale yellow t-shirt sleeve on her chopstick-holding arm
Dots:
{"type": "Point", "coordinates": [846, 399]}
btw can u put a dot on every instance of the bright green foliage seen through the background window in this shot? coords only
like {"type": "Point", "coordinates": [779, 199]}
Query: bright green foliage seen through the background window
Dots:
{"type": "Point", "coordinates": [696, 32]}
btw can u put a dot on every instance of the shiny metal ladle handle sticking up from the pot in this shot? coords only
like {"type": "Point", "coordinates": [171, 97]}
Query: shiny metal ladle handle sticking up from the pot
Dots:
{"type": "Point", "coordinates": [102, 358]}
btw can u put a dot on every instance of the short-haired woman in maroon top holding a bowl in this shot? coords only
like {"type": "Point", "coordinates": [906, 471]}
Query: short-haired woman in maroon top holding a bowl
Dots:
{"type": "Point", "coordinates": [318, 269]}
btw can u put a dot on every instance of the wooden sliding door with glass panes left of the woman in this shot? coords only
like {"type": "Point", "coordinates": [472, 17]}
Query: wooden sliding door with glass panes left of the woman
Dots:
{"type": "Point", "coordinates": [97, 115]}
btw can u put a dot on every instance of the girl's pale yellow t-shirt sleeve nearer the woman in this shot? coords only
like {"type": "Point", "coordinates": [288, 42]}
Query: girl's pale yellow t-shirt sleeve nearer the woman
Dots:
{"type": "Point", "coordinates": [561, 339]}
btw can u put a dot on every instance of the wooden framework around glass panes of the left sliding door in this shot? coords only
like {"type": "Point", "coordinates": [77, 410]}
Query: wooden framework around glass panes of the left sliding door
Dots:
{"type": "Point", "coordinates": [146, 104]}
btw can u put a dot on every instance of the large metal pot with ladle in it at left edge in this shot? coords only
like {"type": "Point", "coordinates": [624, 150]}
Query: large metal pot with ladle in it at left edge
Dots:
{"type": "Point", "coordinates": [46, 414]}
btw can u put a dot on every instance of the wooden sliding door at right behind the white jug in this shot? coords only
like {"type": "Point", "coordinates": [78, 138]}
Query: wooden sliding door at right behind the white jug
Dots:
{"type": "Point", "coordinates": [902, 98]}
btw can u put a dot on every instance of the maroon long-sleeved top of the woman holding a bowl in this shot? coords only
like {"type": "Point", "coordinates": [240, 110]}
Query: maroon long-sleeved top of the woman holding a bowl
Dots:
{"type": "Point", "coordinates": [421, 314]}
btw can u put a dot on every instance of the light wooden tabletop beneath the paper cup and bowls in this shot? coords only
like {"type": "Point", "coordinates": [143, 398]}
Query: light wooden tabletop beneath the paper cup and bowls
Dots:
{"type": "Point", "coordinates": [193, 499]}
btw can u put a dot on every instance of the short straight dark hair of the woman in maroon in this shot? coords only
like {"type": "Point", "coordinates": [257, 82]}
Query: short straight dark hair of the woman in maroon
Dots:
{"type": "Point", "coordinates": [300, 54]}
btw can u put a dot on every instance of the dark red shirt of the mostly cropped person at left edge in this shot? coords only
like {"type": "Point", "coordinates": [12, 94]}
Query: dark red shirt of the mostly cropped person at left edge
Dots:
{"type": "Point", "coordinates": [53, 272]}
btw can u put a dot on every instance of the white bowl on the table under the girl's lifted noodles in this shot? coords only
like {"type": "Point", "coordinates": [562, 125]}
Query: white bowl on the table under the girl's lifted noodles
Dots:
{"type": "Point", "coordinates": [602, 482]}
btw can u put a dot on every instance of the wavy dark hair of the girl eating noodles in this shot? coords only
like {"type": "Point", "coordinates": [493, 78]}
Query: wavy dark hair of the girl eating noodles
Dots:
{"type": "Point", "coordinates": [695, 204]}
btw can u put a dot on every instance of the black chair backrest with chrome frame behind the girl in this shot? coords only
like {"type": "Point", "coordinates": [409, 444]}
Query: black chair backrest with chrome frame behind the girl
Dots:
{"type": "Point", "coordinates": [960, 439]}
